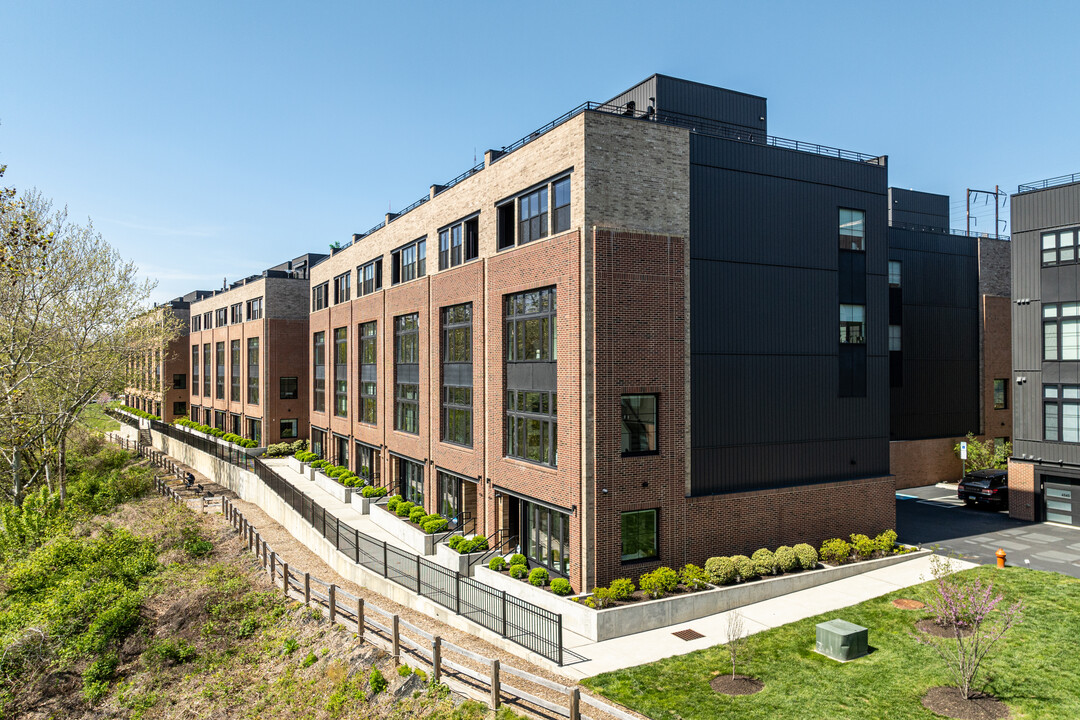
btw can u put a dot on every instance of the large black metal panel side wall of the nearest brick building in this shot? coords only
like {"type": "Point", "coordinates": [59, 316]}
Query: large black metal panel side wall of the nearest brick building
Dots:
{"type": "Point", "coordinates": [765, 294]}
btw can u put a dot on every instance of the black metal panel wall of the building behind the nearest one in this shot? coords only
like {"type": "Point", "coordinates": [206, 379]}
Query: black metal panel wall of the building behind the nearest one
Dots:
{"type": "Point", "coordinates": [938, 395]}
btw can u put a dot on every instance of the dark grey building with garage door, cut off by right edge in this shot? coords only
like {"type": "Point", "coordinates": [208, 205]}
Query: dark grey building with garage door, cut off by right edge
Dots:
{"type": "Point", "coordinates": [1045, 470]}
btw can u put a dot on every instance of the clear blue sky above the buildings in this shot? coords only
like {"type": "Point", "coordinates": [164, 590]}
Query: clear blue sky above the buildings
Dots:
{"type": "Point", "coordinates": [220, 139]}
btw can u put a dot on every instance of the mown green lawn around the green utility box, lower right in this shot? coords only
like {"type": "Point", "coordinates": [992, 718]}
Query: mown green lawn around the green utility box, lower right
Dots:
{"type": "Point", "coordinates": [1035, 670]}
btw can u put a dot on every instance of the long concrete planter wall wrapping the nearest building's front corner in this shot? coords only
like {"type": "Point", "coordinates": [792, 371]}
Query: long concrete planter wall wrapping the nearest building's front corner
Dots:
{"type": "Point", "coordinates": [611, 623]}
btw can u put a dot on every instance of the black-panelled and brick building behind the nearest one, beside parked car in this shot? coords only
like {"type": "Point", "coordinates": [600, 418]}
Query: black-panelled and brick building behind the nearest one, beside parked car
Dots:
{"type": "Point", "coordinates": [950, 363]}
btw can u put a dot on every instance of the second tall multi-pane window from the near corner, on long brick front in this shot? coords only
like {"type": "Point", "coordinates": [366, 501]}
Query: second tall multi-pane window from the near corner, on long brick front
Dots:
{"type": "Point", "coordinates": [457, 375]}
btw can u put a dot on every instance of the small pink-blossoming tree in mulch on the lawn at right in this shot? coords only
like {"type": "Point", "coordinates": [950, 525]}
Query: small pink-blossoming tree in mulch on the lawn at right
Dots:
{"type": "Point", "coordinates": [971, 612]}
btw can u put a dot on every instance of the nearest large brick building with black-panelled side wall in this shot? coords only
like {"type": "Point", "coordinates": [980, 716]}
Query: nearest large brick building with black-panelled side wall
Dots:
{"type": "Point", "coordinates": [644, 335]}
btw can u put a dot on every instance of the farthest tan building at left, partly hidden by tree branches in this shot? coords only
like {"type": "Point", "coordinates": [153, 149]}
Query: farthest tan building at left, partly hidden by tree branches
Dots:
{"type": "Point", "coordinates": [161, 376]}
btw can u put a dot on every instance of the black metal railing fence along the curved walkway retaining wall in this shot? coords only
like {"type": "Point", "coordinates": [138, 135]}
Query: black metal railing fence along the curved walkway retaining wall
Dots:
{"type": "Point", "coordinates": [520, 621]}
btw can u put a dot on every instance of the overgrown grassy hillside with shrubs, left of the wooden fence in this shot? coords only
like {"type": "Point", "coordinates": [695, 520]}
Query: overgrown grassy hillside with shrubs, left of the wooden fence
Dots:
{"type": "Point", "coordinates": [124, 605]}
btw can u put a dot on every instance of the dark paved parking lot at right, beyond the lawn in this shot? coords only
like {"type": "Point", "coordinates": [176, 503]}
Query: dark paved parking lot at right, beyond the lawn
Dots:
{"type": "Point", "coordinates": [935, 517]}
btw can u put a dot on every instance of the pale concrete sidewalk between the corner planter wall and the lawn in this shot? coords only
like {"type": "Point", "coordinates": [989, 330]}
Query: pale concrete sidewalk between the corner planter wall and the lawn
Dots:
{"type": "Point", "coordinates": [657, 645]}
